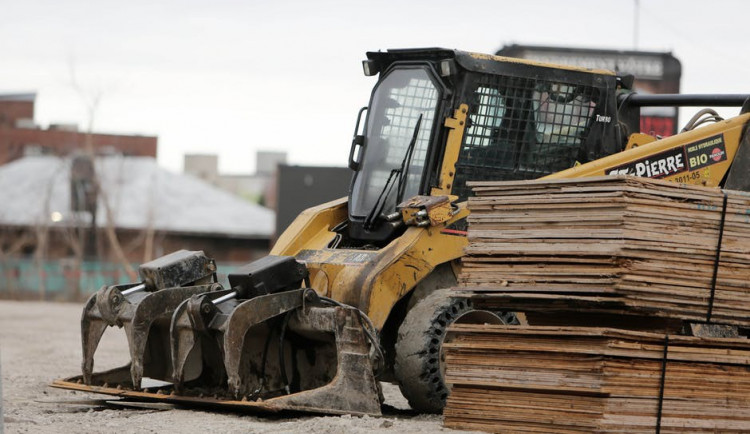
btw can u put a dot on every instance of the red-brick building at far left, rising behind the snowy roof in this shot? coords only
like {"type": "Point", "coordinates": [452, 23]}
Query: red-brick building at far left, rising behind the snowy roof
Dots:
{"type": "Point", "coordinates": [20, 136]}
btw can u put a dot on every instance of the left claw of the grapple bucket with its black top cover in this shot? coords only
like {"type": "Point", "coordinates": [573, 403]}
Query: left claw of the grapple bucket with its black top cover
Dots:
{"type": "Point", "coordinates": [144, 311]}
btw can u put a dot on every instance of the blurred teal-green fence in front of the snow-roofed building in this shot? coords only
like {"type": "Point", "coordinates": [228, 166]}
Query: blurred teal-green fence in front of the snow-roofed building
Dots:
{"type": "Point", "coordinates": [64, 279]}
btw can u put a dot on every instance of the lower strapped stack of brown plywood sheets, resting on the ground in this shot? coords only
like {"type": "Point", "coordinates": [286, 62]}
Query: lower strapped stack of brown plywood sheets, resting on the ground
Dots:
{"type": "Point", "coordinates": [552, 379]}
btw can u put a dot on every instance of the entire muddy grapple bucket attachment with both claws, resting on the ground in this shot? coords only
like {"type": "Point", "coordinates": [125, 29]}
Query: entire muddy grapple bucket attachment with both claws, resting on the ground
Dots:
{"type": "Point", "coordinates": [266, 344]}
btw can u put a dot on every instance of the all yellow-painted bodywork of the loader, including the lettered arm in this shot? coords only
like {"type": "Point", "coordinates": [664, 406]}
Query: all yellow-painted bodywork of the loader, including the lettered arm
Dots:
{"type": "Point", "coordinates": [374, 280]}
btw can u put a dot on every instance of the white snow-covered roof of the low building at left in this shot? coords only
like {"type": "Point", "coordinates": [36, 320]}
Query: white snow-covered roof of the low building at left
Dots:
{"type": "Point", "coordinates": [140, 193]}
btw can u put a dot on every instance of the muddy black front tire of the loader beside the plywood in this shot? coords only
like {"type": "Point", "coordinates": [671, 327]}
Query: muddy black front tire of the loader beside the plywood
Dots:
{"type": "Point", "coordinates": [418, 366]}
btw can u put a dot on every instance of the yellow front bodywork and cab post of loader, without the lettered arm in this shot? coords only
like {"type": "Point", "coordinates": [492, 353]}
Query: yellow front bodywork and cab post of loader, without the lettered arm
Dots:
{"type": "Point", "coordinates": [374, 280]}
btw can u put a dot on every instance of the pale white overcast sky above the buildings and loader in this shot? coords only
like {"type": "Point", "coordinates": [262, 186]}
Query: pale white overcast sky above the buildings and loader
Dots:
{"type": "Point", "coordinates": [235, 77]}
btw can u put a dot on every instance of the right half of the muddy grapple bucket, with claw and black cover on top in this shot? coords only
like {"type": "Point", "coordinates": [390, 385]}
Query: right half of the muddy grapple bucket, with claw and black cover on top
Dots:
{"type": "Point", "coordinates": [282, 346]}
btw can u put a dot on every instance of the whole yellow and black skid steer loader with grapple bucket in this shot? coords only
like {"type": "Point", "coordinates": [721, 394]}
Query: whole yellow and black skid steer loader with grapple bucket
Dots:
{"type": "Point", "coordinates": [357, 290]}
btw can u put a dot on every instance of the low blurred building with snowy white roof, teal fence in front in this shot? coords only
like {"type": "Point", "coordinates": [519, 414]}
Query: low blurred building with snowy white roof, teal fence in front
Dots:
{"type": "Point", "coordinates": [67, 228]}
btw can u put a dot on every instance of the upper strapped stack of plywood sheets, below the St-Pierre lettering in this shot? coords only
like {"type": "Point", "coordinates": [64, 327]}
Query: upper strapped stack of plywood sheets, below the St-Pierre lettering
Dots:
{"type": "Point", "coordinates": [615, 245]}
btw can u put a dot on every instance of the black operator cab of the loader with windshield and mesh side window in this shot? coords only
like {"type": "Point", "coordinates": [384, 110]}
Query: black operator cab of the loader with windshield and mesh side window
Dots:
{"type": "Point", "coordinates": [525, 120]}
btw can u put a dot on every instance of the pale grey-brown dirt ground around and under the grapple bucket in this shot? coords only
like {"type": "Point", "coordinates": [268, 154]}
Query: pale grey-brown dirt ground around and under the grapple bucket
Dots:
{"type": "Point", "coordinates": [40, 342]}
